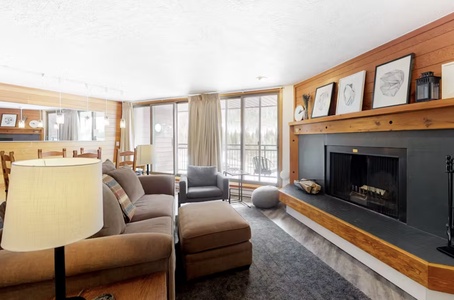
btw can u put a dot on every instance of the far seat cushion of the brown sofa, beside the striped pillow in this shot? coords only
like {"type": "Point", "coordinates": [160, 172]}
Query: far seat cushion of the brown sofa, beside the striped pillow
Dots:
{"type": "Point", "coordinates": [152, 206]}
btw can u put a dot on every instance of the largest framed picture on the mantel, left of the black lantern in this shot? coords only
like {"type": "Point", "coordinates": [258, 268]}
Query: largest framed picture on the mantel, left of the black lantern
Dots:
{"type": "Point", "coordinates": [392, 82]}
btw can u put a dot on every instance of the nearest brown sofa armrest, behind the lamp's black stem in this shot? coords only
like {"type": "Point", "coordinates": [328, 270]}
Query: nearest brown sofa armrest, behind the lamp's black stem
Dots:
{"type": "Point", "coordinates": [90, 255]}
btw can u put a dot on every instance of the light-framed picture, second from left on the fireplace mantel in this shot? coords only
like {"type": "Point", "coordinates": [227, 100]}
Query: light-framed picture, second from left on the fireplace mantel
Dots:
{"type": "Point", "coordinates": [350, 93]}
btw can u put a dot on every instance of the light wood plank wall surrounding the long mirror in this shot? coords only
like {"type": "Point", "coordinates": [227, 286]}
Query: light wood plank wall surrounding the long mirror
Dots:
{"type": "Point", "coordinates": [29, 150]}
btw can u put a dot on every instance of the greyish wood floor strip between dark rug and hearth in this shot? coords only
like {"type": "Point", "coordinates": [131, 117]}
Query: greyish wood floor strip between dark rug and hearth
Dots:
{"type": "Point", "coordinates": [368, 281]}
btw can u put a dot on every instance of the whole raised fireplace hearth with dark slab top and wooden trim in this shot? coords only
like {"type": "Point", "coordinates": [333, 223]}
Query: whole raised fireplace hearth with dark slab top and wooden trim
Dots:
{"type": "Point", "coordinates": [402, 254]}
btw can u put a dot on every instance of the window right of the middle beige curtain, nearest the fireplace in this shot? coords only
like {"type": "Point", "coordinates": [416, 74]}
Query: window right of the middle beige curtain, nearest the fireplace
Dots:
{"type": "Point", "coordinates": [250, 136]}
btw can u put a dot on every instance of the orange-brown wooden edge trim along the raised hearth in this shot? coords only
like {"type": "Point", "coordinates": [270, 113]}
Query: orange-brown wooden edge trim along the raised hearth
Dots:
{"type": "Point", "coordinates": [433, 276]}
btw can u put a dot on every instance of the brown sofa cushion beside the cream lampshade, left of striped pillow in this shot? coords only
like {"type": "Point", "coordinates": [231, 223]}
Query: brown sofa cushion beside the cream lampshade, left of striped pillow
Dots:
{"type": "Point", "coordinates": [114, 222]}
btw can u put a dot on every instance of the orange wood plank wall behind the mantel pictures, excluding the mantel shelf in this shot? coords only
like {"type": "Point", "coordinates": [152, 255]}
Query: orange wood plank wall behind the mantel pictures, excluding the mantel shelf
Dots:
{"type": "Point", "coordinates": [431, 44]}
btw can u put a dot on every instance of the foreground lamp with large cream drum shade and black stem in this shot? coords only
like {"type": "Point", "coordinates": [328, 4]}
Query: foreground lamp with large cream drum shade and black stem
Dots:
{"type": "Point", "coordinates": [47, 208]}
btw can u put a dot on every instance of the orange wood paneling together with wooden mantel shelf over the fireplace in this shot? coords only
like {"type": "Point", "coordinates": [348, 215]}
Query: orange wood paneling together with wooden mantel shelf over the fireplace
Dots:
{"type": "Point", "coordinates": [432, 45]}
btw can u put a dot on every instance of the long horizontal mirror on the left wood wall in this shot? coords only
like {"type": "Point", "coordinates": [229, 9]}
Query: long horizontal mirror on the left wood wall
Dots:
{"type": "Point", "coordinates": [57, 124]}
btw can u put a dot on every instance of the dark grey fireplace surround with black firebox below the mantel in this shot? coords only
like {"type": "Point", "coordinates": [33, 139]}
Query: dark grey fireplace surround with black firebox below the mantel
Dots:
{"type": "Point", "coordinates": [420, 159]}
